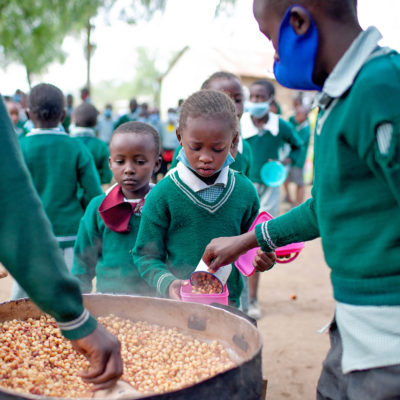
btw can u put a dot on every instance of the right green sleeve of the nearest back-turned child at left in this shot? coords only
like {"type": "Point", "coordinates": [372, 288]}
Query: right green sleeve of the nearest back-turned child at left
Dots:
{"type": "Point", "coordinates": [88, 176]}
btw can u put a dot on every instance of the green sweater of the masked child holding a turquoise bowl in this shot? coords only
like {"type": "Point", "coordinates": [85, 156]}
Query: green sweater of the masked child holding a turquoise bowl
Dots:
{"type": "Point", "coordinates": [265, 147]}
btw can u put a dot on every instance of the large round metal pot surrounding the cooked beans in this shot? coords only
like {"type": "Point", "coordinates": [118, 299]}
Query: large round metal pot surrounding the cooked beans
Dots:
{"type": "Point", "coordinates": [238, 335]}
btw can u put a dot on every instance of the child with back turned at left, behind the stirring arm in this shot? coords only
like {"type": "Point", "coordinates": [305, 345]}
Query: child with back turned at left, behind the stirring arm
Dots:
{"type": "Point", "coordinates": [58, 165]}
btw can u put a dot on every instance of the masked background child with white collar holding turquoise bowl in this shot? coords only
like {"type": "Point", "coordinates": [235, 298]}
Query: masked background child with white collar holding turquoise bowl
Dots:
{"type": "Point", "coordinates": [267, 134]}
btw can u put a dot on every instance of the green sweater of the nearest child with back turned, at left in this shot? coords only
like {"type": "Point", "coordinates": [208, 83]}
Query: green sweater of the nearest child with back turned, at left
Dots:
{"type": "Point", "coordinates": [58, 165]}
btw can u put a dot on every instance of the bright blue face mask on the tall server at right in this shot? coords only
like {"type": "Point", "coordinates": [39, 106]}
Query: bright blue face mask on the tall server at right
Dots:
{"type": "Point", "coordinates": [297, 55]}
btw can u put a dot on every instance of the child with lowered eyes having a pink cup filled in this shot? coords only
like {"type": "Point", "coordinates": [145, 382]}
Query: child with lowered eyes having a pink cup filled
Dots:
{"type": "Point", "coordinates": [200, 199]}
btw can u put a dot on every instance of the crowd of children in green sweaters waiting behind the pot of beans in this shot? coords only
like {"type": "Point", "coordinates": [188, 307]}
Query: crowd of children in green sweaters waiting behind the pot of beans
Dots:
{"type": "Point", "coordinates": [132, 238]}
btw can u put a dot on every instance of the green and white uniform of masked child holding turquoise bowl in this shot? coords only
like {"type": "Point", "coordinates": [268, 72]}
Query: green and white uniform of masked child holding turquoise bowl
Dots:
{"type": "Point", "coordinates": [268, 144]}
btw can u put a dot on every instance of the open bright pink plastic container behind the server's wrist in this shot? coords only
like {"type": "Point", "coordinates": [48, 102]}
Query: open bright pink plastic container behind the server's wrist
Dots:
{"type": "Point", "coordinates": [245, 262]}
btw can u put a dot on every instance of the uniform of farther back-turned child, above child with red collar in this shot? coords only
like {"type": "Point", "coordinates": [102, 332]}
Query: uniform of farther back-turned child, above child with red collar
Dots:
{"type": "Point", "coordinates": [98, 149]}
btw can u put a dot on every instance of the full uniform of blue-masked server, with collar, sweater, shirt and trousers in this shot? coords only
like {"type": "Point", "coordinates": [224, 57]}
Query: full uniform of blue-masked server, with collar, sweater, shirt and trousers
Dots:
{"type": "Point", "coordinates": [355, 208]}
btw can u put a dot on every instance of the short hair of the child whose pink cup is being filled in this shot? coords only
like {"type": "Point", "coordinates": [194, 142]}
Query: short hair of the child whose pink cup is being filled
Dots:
{"type": "Point", "coordinates": [208, 104]}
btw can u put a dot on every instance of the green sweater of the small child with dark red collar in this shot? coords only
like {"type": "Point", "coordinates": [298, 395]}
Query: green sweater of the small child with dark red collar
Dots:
{"type": "Point", "coordinates": [107, 255]}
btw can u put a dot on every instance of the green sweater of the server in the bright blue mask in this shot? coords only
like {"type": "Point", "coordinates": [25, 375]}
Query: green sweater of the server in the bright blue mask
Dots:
{"type": "Point", "coordinates": [355, 204]}
